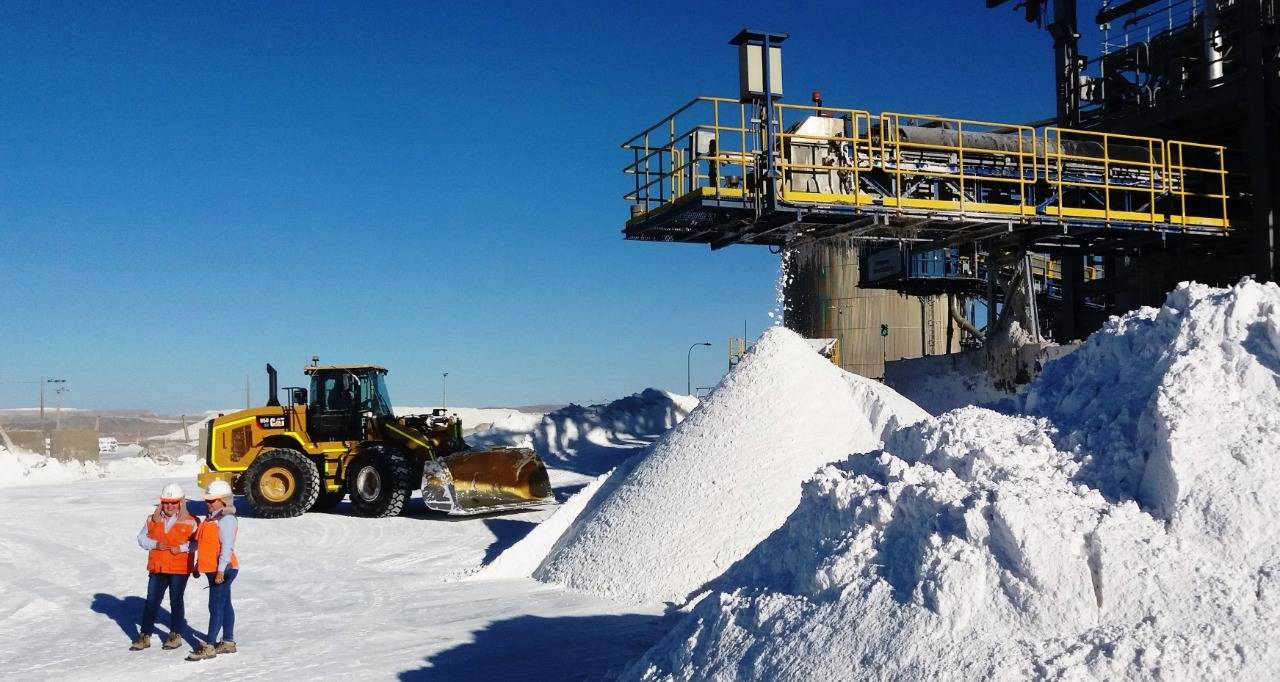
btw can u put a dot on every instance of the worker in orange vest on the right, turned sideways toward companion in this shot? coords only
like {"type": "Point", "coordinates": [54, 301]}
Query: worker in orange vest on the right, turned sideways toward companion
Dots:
{"type": "Point", "coordinates": [216, 559]}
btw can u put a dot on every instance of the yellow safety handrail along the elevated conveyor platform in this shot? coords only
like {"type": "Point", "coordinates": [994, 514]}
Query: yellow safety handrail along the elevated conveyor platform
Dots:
{"type": "Point", "coordinates": [931, 164]}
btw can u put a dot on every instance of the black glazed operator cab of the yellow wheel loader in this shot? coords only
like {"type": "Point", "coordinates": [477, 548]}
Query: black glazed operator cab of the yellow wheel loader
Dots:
{"type": "Point", "coordinates": [342, 397]}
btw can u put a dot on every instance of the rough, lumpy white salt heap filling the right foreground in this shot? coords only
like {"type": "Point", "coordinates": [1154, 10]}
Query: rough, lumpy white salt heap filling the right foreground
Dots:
{"type": "Point", "coordinates": [1130, 532]}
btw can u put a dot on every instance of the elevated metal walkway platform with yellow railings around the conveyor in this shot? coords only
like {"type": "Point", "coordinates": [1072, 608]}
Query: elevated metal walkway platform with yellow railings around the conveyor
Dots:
{"type": "Point", "coordinates": [700, 177]}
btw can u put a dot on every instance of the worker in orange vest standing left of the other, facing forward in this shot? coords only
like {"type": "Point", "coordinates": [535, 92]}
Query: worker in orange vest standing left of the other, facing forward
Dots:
{"type": "Point", "coordinates": [167, 537]}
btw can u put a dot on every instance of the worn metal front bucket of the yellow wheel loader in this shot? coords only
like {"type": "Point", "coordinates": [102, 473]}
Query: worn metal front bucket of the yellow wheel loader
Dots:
{"type": "Point", "coordinates": [479, 482]}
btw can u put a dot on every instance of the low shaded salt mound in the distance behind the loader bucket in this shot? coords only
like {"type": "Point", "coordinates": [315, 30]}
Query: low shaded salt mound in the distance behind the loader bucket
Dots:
{"type": "Point", "coordinates": [591, 440]}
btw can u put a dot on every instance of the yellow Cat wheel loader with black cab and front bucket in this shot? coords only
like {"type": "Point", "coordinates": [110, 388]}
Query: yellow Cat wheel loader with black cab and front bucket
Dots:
{"type": "Point", "coordinates": [342, 440]}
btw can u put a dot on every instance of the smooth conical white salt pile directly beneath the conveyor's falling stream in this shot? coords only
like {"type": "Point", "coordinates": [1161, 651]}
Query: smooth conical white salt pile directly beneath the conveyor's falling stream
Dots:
{"type": "Point", "coordinates": [729, 475]}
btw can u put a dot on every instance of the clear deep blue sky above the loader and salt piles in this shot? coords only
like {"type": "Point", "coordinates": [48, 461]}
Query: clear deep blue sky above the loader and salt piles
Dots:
{"type": "Point", "coordinates": [193, 190]}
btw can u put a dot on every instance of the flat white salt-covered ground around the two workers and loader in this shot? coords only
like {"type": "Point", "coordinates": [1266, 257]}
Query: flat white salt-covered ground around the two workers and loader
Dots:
{"type": "Point", "coordinates": [321, 597]}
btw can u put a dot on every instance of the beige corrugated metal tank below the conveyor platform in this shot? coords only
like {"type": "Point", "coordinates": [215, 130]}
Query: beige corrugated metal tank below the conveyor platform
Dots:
{"type": "Point", "coordinates": [824, 301]}
